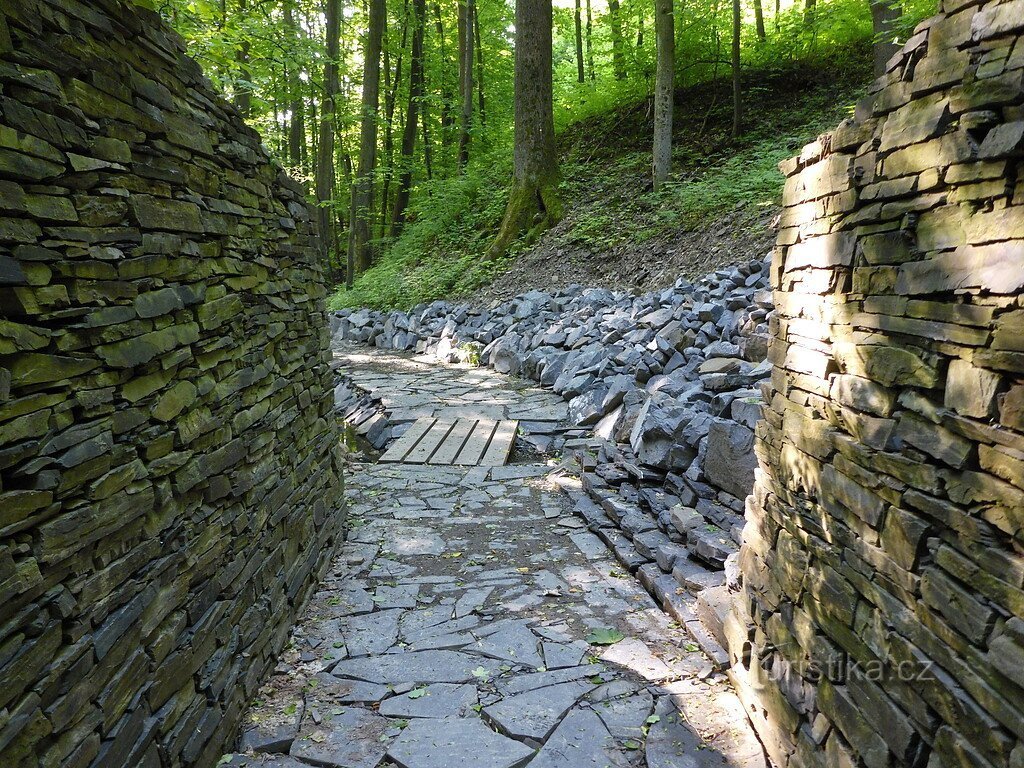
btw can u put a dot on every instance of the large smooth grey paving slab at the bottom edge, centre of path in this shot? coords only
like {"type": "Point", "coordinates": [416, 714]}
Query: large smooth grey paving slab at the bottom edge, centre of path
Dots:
{"type": "Point", "coordinates": [462, 743]}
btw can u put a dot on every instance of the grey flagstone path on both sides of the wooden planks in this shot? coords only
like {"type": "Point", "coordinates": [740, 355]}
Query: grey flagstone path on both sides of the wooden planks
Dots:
{"type": "Point", "coordinates": [460, 624]}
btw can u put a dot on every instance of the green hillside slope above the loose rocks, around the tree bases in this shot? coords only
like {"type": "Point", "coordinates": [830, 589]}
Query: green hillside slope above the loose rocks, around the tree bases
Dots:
{"type": "Point", "coordinates": [610, 205]}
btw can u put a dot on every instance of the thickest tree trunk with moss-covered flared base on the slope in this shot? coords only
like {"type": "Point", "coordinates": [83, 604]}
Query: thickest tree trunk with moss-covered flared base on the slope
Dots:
{"type": "Point", "coordinates": [534, 203]}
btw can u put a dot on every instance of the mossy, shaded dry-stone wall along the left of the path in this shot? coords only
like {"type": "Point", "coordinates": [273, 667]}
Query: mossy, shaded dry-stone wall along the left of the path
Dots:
{"type": "Point", "coordinates": [170, 489]}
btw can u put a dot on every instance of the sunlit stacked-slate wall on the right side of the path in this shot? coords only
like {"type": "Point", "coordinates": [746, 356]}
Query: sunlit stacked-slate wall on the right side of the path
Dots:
{"type": "Point", "coordinates": [883, 617]}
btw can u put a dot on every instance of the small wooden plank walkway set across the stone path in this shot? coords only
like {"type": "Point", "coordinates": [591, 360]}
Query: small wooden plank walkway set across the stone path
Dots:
{"type": "Point", "coordinates": [470, 443]}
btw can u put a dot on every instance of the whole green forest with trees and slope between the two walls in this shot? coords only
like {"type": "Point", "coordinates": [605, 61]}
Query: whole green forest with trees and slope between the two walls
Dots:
{"type": "Point", "coordinates": [439, 140]}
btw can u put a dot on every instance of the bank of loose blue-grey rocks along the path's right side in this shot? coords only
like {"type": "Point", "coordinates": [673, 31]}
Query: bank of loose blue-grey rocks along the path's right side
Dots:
{"type": "Point", "coordinates": [668, 381]}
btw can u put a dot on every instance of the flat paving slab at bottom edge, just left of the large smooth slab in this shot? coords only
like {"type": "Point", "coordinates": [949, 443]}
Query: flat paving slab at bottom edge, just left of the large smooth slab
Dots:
{"type": "Point", "coordinates": [350, 740]}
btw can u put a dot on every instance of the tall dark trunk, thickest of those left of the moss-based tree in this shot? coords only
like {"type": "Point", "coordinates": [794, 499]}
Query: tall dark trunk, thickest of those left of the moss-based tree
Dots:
{"type": "Point", "coordinates": [363, 187]}
